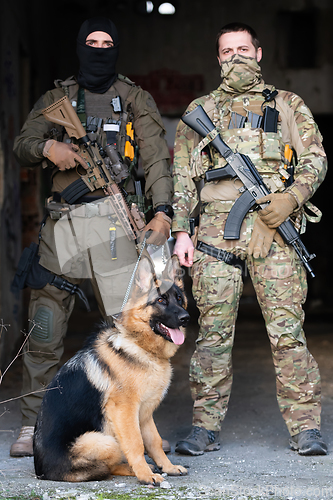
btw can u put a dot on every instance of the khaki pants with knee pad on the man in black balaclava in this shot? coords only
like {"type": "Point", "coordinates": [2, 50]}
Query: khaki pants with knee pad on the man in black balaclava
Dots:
{"type": "Point", "coordinates": [75, 249]}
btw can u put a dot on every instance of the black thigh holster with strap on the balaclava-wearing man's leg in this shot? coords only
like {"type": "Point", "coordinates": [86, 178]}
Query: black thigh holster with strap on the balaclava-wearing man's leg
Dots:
{"type": "Point", "coordinates": [31, 274]}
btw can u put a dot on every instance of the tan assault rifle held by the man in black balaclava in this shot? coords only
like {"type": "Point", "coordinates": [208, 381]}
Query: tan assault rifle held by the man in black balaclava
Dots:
{"type": "Point", "coordinates": [98, 175]}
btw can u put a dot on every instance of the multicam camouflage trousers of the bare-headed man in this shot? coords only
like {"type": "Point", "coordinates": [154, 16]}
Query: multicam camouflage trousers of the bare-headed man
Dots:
{"type": "Point", "coordinates": [280, 285]}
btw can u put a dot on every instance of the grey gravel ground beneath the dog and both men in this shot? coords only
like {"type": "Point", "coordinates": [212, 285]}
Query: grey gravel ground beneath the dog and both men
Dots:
{"type": "Point", "coordinates": [254, 461]}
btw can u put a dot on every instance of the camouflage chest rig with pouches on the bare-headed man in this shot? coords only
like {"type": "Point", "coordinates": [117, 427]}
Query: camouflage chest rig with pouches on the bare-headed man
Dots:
{"type": "Point", "coordinates": [250, 125]}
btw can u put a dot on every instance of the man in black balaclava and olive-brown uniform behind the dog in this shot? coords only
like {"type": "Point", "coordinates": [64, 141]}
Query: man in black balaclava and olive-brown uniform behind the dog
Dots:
{"type": "Point", "coordinates": [84, 236]}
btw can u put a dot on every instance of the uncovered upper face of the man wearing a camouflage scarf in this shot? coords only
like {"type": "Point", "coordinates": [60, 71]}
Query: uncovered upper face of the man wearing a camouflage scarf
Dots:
{"type": "Point", "coordinates": [237, 42]}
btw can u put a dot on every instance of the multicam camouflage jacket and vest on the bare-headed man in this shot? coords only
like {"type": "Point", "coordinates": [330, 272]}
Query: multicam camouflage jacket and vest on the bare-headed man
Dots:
{"type": "Point", "coordinates": [296, 127]}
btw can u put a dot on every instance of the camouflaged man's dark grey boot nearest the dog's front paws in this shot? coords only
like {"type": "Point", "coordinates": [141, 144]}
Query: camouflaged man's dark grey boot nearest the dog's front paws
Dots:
{"type": "Point", "coordinates": [198, 441]}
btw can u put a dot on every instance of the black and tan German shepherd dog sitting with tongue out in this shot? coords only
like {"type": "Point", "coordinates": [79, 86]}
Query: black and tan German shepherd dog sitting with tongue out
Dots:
{"type": "Point", "coordinates": [96, 417]}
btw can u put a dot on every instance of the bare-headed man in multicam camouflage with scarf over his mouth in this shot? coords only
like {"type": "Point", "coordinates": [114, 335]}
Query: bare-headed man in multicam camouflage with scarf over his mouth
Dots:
{"type": "Point", "coordinates": [277, 274]}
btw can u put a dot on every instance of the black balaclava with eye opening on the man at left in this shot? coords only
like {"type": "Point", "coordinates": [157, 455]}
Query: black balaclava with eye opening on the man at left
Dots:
{"type": "Point", "coordinates": [97, 66]}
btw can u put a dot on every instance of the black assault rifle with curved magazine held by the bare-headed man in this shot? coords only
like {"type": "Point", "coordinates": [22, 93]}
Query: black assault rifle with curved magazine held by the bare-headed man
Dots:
{"type": "Point", "coordinates": [240, 166]}
